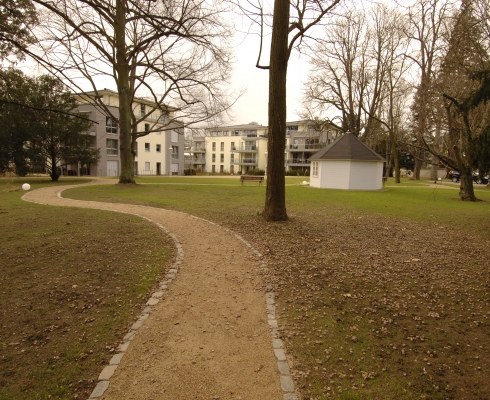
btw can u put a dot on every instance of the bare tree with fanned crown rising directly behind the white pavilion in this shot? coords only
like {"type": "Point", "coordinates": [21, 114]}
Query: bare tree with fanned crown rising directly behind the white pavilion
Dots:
{"type": "Point", "coordinates": [338, 78]}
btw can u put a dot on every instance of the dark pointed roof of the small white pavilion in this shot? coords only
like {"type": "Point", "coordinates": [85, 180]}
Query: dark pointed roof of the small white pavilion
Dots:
{"type": "Point", "coordinates": [347, 147]}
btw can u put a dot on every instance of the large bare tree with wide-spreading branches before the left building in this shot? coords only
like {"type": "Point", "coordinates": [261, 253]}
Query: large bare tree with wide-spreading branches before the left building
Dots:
{"type": "Point", "coordinates": [170, 52]}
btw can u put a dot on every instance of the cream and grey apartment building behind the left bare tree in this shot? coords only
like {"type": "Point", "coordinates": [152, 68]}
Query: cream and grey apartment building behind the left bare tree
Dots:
{"type": "Point", "coordinates": [159, 153]}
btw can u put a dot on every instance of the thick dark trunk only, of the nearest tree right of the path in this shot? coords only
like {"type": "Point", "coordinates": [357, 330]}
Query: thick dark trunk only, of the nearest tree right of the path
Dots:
{"type": "Point", "coordinates": [275, 201]}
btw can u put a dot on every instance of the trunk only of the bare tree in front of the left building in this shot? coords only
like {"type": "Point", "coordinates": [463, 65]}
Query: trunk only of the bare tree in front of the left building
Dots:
{"type": "Point", "coordinates": [126, 174]}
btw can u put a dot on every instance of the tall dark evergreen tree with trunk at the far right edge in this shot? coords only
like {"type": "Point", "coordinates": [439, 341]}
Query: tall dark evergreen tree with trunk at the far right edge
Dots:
{"type": "Point", "coordinates": [464, 84]}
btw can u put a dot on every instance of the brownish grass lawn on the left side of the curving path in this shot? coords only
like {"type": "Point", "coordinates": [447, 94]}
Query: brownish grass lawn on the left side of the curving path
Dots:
{"type": "Point", "coordinates": [71, 283]}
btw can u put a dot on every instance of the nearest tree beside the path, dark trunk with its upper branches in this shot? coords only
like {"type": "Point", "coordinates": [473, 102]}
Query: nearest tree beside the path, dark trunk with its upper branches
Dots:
{"type": "Point", "coordinates": [291, 24]}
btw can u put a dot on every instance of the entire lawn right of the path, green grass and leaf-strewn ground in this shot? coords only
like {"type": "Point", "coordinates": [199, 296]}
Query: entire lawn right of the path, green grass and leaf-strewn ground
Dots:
{"type": "Point", "coordinates": [382, 295]}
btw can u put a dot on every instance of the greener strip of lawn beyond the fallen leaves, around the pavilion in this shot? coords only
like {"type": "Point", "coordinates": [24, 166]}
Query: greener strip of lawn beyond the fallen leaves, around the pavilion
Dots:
{"type": "Point", "coordinates": [204, 196]}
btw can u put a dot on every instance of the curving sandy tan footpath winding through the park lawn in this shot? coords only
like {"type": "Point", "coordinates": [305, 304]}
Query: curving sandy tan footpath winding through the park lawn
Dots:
{"type": "Point", "coordinates": [206, 332]}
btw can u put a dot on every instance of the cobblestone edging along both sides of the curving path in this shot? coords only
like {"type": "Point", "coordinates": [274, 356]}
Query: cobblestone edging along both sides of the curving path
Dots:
{"type": "Point", "coordinates": [286, 381]}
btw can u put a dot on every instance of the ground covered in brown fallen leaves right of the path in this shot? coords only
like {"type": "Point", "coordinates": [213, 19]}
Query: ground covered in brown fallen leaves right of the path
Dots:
{"type": "Point", "coordinates": [371, 307]}
